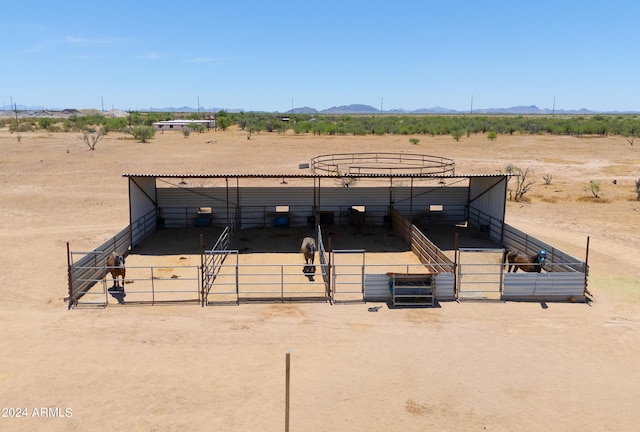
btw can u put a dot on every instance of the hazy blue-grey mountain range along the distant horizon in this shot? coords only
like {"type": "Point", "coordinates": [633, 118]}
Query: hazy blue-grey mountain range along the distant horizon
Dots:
{"type": "Point", "coordinates": [362, 109]}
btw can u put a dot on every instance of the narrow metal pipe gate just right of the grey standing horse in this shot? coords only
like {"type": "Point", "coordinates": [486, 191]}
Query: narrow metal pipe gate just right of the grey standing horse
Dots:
{"type": "Point", "coordinates": [348, 275]}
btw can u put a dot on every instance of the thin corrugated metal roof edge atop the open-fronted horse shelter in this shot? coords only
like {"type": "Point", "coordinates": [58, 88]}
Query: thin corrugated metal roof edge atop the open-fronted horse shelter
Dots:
{"type": "Point", "coordinates": [220, 176]}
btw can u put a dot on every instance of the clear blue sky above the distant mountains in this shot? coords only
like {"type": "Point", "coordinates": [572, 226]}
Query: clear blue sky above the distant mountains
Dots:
{"type": "Point", "coordinates": [259, 55]}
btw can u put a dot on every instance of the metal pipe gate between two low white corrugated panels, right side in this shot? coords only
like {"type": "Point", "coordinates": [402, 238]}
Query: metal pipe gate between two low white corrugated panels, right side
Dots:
{"type": "Point", "coordinates": [479, 274]}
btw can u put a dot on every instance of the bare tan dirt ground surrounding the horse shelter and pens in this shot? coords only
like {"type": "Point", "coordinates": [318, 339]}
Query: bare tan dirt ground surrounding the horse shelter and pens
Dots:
{"type": "Point", "coordinates": [463, 366]}
